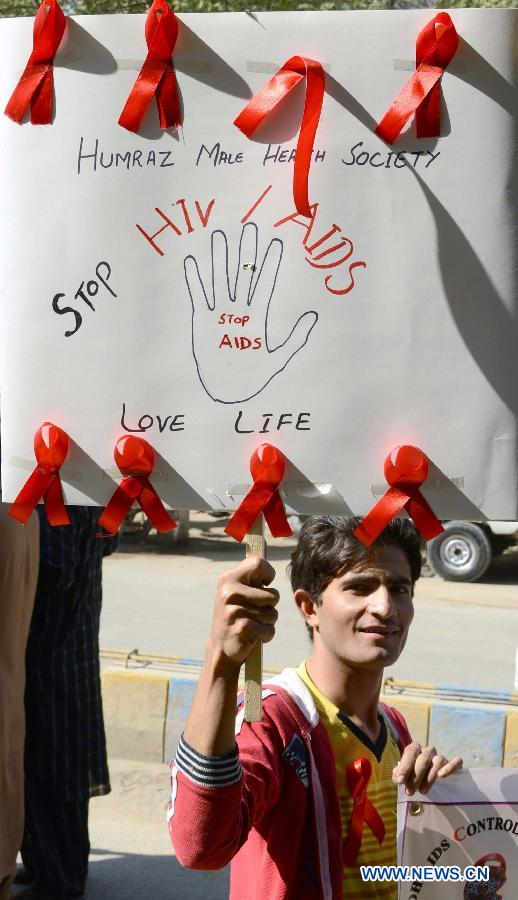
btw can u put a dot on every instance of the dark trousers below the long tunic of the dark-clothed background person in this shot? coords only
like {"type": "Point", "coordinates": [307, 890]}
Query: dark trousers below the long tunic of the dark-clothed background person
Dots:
{"type": "Point", "coordinates": [56, 844]}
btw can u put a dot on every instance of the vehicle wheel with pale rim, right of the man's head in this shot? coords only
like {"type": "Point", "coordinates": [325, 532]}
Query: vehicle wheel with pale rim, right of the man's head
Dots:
{"type": "Point", "coordinates": [462, 553]}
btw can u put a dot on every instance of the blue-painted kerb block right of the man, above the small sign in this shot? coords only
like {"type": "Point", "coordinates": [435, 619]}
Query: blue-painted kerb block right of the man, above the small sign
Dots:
{"type": "Point", "coordinates": [476, 734]}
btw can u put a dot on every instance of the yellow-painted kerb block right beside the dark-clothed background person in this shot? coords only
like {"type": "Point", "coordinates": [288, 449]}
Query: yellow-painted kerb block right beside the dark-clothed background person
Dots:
{"type": "Point", "coordinates": [135, 709]}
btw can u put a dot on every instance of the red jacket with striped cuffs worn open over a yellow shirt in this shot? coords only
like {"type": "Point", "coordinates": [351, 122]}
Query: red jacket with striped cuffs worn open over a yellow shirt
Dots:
{"type": "Point", "coordinates": [270, 807]}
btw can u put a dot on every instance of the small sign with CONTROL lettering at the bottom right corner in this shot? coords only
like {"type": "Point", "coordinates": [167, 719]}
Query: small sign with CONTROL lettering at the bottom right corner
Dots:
{"type": "Point", "coordinates": [470, 819]}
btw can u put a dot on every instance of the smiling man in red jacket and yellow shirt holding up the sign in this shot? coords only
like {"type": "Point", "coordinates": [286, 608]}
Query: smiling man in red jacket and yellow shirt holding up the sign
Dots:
{"type": "Point", "coordinates": [308, 795]}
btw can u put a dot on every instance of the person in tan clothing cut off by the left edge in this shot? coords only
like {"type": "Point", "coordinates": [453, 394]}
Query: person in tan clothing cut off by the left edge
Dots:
{"type": "Point", "coordinates": [19, 554]}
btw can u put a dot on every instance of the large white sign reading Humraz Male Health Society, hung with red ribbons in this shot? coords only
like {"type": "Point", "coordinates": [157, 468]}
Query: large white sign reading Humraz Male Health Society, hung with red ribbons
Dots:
{"type": "Point", "coordinates": [162, 284]}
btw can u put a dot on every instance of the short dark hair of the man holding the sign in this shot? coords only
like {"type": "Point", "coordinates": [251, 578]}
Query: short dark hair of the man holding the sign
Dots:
{"type": "Point", "coordinates": [327, 546]}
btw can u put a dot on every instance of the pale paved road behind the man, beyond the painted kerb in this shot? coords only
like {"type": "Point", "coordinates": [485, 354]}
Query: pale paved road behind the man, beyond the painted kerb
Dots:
{"type": "Point", "coordinates": [158, 599]}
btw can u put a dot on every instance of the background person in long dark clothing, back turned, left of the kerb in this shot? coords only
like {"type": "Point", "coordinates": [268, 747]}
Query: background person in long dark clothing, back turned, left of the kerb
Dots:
{"type": "Point", "coordinates": [65, 751]}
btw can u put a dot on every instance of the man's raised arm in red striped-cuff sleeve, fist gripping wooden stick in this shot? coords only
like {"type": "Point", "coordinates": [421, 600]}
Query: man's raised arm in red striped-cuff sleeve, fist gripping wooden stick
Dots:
{"type": "Point", "coordinates": [211, 810]}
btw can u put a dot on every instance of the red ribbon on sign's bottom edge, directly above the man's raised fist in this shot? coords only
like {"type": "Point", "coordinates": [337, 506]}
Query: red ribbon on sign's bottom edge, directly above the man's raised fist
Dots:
{"type": "Point", "coordinates": [267, 466]}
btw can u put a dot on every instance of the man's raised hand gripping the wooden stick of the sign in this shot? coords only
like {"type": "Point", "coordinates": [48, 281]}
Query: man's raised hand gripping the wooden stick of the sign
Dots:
{"type": "Point", "coordinates": [244, 613]}
